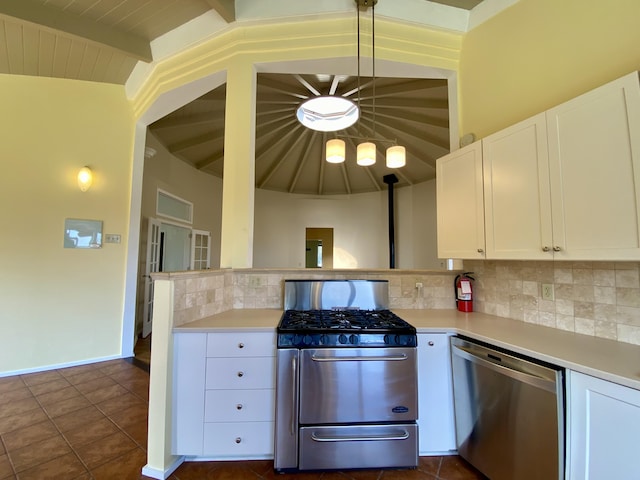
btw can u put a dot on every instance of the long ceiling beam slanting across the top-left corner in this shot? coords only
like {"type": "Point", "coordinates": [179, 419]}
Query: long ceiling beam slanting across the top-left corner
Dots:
{"type": "Point", "coordinates": [65, 23]}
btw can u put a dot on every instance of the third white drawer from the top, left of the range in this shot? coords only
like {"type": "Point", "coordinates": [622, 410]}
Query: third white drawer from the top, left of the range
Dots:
{"type": "Point", "coordinates": [239, 405]}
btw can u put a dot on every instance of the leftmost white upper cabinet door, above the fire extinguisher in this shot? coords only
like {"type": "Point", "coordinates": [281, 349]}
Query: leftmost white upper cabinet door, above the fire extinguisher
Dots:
{"type": "Point", "coordinates": [460, 215]}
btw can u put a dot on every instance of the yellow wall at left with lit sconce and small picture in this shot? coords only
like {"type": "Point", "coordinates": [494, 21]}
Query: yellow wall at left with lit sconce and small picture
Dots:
{"type": "Point", "coordinates": [61, 305]}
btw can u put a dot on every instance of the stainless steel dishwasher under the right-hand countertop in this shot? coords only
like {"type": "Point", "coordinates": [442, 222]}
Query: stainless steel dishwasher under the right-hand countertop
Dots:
{"type": "Point", "coordinates": [509, 413]}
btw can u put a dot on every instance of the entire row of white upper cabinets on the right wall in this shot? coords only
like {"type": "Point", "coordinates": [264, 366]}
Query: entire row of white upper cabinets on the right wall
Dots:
{"type": "Point", "coordinates": [562, 185]}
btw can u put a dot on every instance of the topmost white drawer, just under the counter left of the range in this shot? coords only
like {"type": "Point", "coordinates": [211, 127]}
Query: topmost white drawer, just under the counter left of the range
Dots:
{"type": "Point", "coordinates": [237, 344]}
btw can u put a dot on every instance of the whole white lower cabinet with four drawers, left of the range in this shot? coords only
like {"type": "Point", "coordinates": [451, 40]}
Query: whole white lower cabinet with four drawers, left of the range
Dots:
{"type": "Point", "coordinates": [224, 393]}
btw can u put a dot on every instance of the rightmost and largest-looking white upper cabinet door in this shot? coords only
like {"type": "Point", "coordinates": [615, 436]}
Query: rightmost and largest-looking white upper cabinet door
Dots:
{"type": "Point", "coordinates": [594, 161]}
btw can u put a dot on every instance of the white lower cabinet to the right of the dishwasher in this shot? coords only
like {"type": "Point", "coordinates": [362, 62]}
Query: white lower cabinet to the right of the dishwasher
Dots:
{"type": "Point", "coordinates": [602, 431]}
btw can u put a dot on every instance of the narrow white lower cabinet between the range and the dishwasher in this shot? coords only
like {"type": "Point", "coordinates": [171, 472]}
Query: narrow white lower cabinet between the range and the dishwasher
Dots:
{"type": "Point", "coordinates": [435, 395]}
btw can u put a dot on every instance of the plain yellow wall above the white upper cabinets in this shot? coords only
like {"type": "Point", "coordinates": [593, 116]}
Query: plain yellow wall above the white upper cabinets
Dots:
{"type": "Point", "coordinates": [539, 53]}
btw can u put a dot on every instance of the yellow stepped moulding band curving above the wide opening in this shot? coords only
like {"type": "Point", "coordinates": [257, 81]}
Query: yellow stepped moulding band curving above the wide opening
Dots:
{"type": "Point", "coordinates": [299, 41]}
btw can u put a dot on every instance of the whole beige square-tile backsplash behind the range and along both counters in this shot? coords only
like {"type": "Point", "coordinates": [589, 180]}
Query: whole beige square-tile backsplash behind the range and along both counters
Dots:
{"type": "Point", "coordinates": [601, 299]}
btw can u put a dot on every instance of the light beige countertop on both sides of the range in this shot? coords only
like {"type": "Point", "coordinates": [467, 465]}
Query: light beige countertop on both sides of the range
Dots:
{"type": "Point", "coordinates": [607, 359]}
